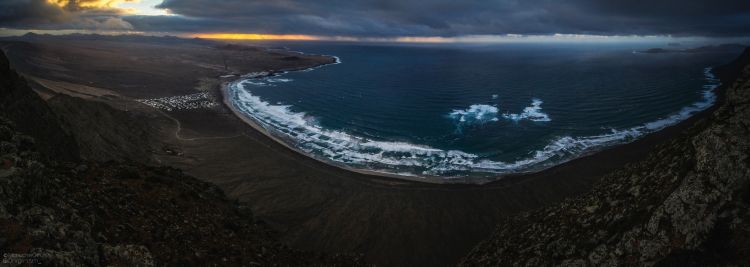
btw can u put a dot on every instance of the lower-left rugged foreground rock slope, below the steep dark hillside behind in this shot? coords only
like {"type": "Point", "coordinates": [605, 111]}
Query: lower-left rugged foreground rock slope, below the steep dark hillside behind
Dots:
{"type": "Point", "coordinates": [117, 214]}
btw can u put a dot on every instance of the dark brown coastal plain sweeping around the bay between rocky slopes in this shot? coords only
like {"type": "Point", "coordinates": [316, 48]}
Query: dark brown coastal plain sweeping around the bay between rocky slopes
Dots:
{"type": "Point", "coordinates": [313, 206]}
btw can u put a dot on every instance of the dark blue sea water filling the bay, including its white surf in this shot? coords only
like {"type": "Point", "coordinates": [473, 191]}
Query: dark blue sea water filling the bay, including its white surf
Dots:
{"type": "Point", "coordinates": [477, 111]}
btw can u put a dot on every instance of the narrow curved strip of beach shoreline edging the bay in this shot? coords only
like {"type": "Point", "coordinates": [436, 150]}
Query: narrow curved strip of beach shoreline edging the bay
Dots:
{"type": "Point", "coordinates": [646, 138]}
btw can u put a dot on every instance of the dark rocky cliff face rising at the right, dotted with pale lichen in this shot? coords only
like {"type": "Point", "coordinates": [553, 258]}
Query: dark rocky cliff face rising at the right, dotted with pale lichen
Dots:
{"type": "Point", "coordinates": [687, 204]}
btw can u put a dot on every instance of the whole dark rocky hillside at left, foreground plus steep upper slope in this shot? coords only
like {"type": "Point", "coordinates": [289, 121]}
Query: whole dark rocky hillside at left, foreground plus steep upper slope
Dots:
{"type": "Point", "coordinates": [59, 210]}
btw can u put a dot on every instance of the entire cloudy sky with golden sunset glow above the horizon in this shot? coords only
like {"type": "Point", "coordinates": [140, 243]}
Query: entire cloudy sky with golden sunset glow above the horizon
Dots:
{"type": "Point", "coordinates": [386, 20]}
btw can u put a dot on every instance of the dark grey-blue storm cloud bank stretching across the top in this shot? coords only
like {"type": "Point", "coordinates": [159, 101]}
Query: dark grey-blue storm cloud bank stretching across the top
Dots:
{"type": "Point", "coordinates": [388, 18]}
